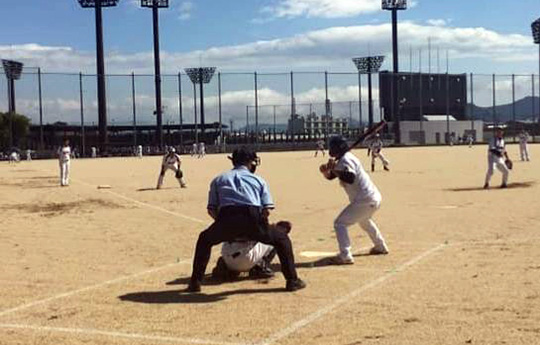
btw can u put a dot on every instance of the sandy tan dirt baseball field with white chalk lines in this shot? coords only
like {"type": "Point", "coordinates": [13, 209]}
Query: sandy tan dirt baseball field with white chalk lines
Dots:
{"type": "Point", "coordinates": [82, 265]}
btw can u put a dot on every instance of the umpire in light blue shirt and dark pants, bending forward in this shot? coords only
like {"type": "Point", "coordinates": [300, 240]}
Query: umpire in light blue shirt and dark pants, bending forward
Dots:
{"type": "Point", "coordinates": [239, 202]}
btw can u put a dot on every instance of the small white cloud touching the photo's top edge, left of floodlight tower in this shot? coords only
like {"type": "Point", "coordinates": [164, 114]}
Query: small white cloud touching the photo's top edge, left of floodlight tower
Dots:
{"type": "Point", "coordinates": [321, 8]}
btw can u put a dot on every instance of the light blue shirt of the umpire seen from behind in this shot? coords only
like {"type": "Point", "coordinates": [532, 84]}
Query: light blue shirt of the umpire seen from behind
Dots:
{"type": "Point", "coordinates": [239, 187]}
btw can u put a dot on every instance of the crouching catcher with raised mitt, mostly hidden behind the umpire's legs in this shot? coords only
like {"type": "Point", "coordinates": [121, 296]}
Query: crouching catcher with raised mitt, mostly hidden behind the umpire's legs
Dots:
{"type": "Point", "coordinates": [244, 255]}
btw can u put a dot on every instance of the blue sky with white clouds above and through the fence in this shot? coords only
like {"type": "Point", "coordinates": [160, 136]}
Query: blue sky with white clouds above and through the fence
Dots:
{"type": "Point", "coordinates": [264, 35]}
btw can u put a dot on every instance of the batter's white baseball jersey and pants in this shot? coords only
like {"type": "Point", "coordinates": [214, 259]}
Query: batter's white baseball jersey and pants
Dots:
{"type": "Point", "coordinates": [365, 199]}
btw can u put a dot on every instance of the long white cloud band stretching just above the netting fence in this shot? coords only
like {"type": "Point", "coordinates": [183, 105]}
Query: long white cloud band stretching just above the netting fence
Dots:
{"type": "Point", "coordinates": [327, 49]}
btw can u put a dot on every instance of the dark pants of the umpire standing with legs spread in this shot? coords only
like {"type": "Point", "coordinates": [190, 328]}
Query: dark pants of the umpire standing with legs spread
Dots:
{"type": "Point", "coordinates": [246, 222]}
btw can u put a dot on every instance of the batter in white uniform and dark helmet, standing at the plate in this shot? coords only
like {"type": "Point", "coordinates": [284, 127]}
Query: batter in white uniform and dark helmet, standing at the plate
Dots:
{"type": "Point", "coordinates": [365, 200]}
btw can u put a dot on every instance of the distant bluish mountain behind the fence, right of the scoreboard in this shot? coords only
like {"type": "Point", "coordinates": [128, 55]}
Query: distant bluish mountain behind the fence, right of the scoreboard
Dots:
{"type": "Point", "coordinates": [504, 112]}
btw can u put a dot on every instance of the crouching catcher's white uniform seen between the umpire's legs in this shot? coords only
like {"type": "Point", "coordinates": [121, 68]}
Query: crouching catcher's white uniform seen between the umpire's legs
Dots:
{"type": "Point", "coordinates": [243, 256]}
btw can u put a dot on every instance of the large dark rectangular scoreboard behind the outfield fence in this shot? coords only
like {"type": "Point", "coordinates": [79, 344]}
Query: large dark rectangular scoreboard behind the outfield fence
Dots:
{"type": "Point", "coordinates": [420, 94]}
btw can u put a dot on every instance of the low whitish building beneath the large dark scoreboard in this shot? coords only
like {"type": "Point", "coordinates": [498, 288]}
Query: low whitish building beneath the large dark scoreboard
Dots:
{"type": "Point", "coordinates": [437, 129]}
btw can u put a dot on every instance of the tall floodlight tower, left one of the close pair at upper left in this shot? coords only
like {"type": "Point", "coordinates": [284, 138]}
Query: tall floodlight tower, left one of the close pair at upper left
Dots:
{"type": "Point", "coordinates": [100, 64]}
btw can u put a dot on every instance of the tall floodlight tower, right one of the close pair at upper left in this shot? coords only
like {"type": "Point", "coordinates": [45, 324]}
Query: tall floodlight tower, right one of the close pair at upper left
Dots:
{"type": "Point", "coordinates": [155, 5]}
